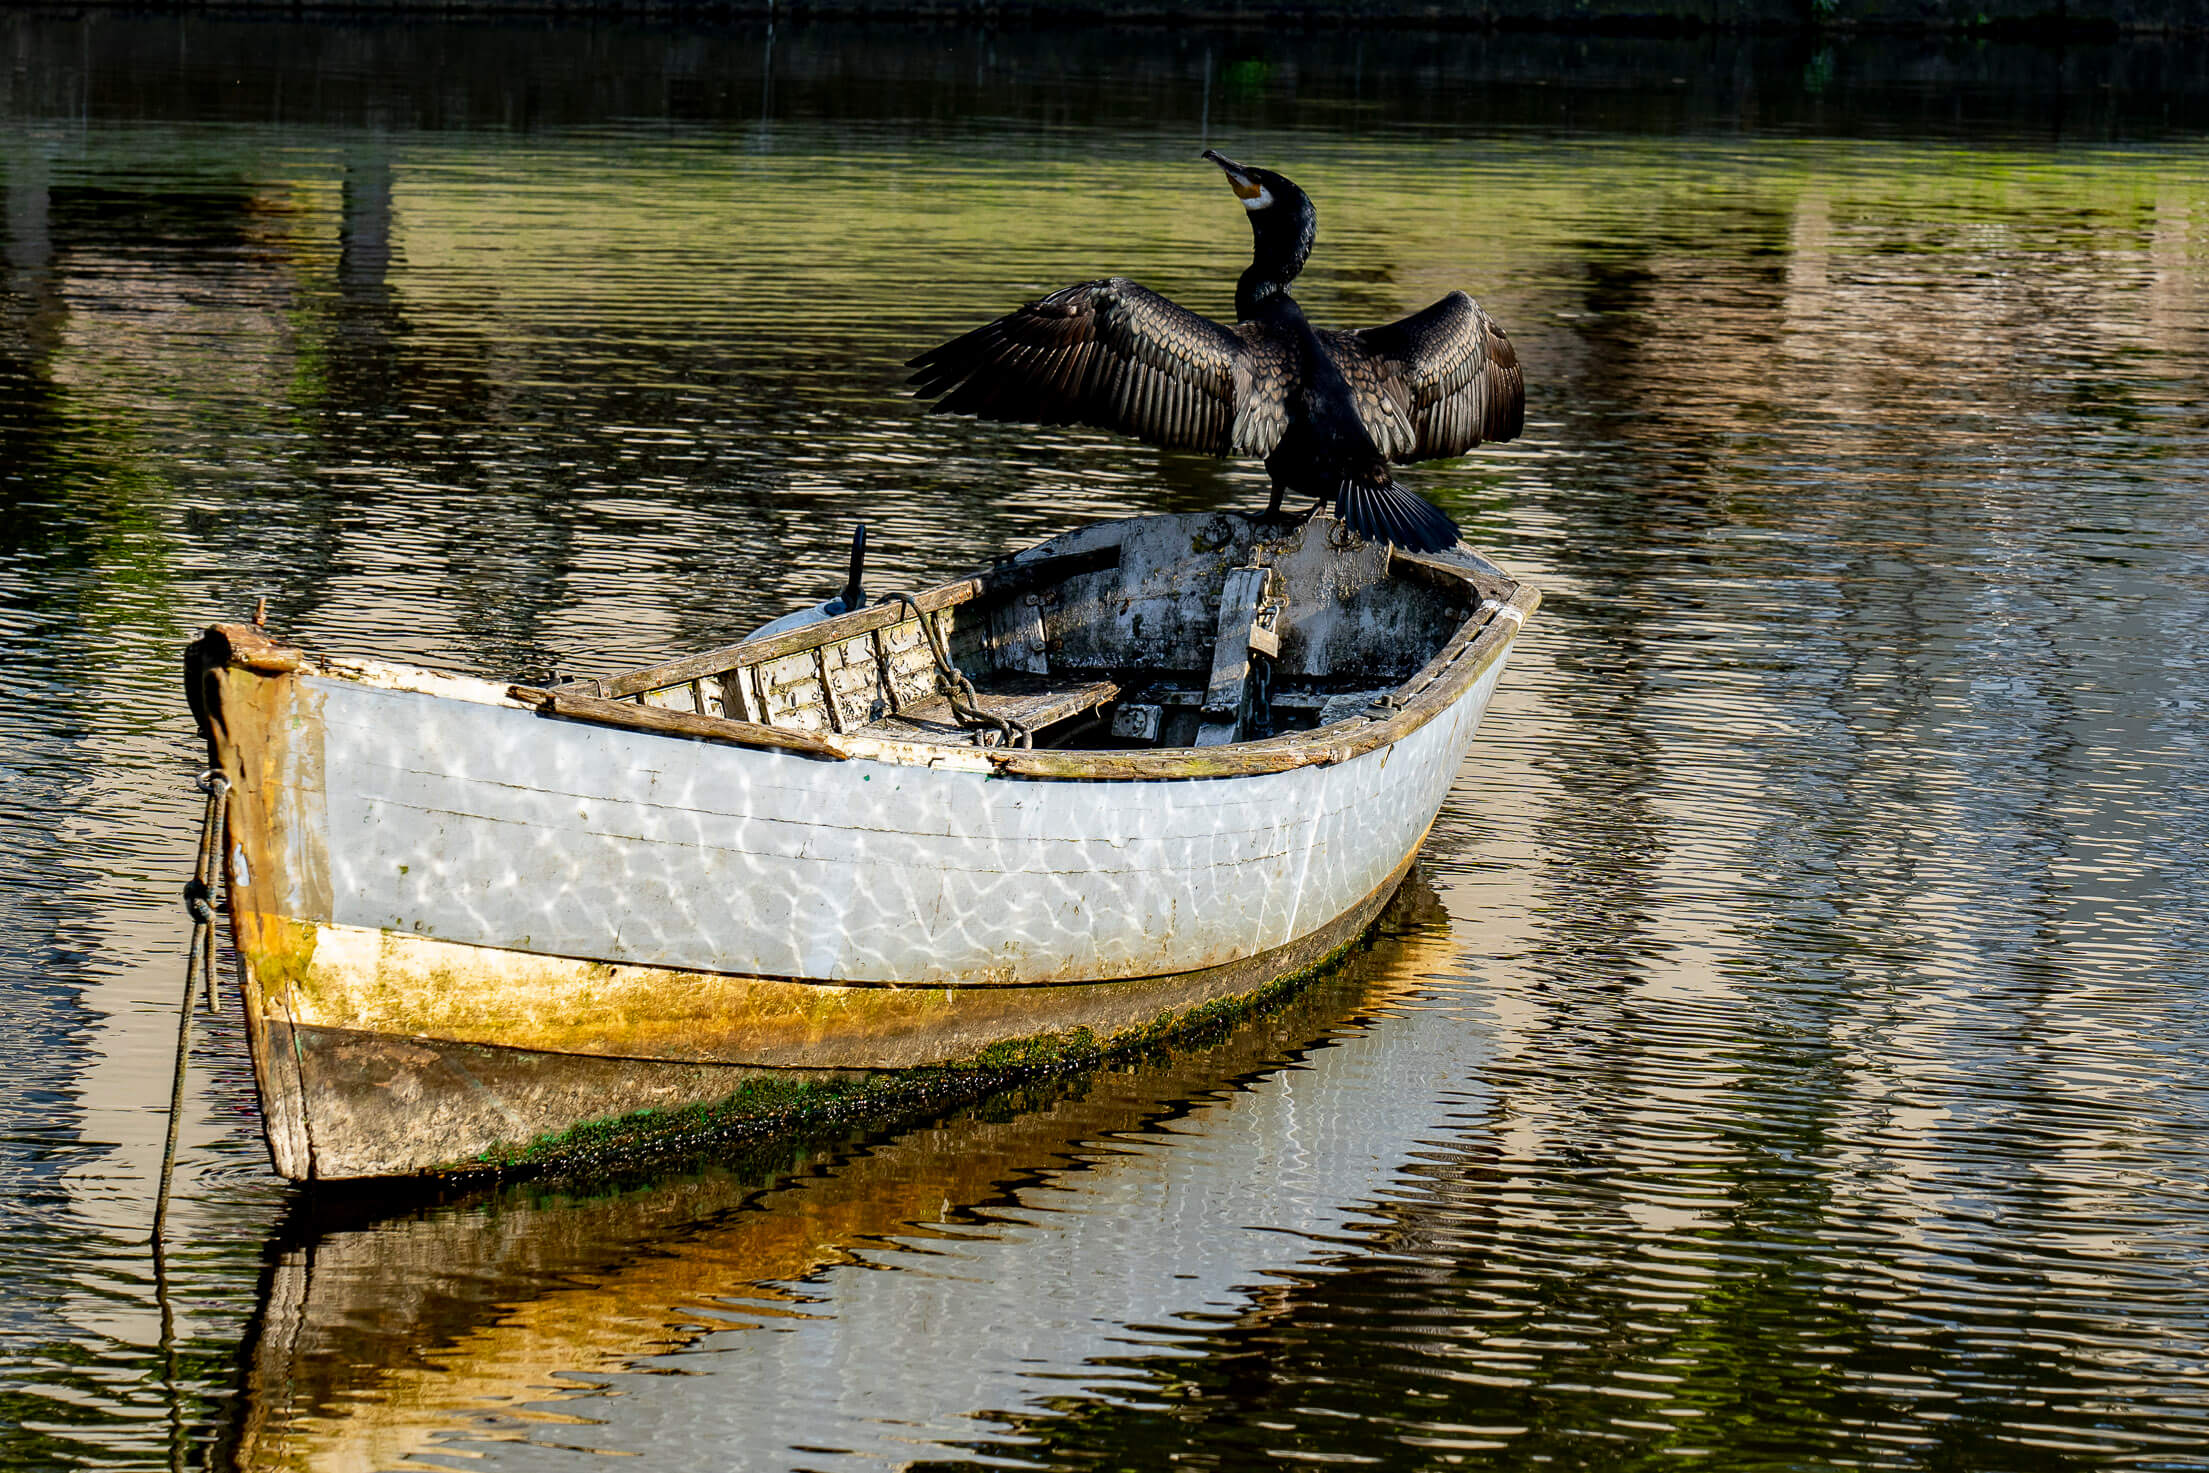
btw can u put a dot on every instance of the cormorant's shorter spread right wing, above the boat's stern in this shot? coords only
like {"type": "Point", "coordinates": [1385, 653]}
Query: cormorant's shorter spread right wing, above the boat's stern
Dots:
{"type": "Point", "coordinates": [1437, 383]}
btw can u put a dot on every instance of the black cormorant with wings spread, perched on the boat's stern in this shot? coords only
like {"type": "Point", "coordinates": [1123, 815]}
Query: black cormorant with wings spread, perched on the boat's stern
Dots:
{"type": "Point", "coordinates": [1327, 410]}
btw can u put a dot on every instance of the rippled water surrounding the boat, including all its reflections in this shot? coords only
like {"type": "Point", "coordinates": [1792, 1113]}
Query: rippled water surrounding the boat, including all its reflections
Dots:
{"type": "Point", "coordinates": [1795, 1052]}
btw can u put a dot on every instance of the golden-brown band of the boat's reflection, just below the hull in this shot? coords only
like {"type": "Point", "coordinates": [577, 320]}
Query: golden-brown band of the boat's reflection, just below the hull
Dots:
{"type": "Point", "coordinates": [381, 1337]}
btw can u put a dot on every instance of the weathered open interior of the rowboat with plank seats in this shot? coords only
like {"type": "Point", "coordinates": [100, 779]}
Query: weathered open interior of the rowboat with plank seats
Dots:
{"type": "Point", "coordinates": [1154, 633]}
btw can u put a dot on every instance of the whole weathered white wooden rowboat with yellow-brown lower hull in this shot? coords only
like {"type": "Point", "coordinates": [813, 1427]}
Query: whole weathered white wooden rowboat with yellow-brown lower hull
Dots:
{"type": "Point", "coordinates": [1125, 778]}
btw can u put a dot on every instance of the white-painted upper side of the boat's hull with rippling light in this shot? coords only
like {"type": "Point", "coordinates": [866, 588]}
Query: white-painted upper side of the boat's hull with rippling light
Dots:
{"type": "Point", "coordinates": [487, 827]}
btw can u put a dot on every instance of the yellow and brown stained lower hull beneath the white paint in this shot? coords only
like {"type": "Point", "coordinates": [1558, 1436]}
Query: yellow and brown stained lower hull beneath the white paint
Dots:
{"type": "Point", "coordinates": [385, 1055]}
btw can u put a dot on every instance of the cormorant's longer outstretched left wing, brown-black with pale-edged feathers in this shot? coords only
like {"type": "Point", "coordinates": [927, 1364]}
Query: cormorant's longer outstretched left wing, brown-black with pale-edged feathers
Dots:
{"type": "Point", "coordinates": [1123, 359]}
